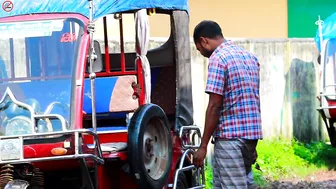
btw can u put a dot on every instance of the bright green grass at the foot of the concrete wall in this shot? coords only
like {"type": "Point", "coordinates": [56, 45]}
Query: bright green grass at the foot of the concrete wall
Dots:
{"type": "Point", "coordinates": [283, 159]}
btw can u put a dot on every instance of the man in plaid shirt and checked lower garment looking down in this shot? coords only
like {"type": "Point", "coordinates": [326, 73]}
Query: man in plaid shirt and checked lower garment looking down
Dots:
{"type": "Point", "coordinates": [233, 113]}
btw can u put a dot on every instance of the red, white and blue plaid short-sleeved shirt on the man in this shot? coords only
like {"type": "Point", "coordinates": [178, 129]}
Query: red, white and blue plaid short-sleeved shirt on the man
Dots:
{"type": "Point", "coordinates": [234, 74]}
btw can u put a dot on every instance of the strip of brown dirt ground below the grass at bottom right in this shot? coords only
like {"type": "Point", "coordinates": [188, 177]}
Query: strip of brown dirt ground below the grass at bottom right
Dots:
{"type": "Point", "coordinates": [323, 179]}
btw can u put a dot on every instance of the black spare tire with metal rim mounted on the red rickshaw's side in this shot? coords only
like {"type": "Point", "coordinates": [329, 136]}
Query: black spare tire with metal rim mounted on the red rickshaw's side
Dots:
{"type": "Point", "coordinates": [149, 120]}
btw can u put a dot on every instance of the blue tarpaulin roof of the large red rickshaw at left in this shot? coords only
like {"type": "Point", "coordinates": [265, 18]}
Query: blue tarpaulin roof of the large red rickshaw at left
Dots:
{"type": "Point", "coordinates": [101, 7]}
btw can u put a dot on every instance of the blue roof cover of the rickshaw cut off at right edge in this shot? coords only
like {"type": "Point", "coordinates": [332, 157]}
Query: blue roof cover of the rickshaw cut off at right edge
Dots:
{"type": "Point", "coordinates": [328, 30]}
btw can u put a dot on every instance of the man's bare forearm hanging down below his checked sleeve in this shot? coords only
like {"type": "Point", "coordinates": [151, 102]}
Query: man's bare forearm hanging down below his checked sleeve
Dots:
{"type": "Point", "coordinates": [212, 117]}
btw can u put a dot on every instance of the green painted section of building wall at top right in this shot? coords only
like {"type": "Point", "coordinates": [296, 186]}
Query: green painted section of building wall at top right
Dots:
{"type": "Point", "coordinates": [302, 15]}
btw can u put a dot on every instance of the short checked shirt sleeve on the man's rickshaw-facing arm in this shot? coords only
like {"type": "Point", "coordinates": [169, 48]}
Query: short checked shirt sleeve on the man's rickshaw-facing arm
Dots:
{"type": "Point", "coordinates": [216, 76]}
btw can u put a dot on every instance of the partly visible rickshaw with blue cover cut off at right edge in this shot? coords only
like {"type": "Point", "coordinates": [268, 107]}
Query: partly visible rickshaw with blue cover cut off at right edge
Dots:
{"type": "Point", "coordinates": [326, 43]}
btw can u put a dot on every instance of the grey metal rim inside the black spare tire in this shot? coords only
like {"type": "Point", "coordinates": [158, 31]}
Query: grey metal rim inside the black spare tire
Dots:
{"type": "Point", "coordinates": [155, 148]}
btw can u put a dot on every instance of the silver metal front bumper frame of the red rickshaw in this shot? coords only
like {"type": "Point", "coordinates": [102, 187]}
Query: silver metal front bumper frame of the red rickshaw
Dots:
{"type": "Point", "coordinates": [97, 156]}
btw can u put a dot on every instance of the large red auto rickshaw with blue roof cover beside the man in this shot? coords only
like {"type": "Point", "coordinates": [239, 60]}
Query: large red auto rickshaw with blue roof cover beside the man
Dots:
{"type": "Point", "coordinates": [75, 116]}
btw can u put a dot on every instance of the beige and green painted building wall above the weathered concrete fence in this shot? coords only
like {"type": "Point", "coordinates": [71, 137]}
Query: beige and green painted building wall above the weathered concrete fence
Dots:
{"type": "Point", "coordinates": [244, 18]}
